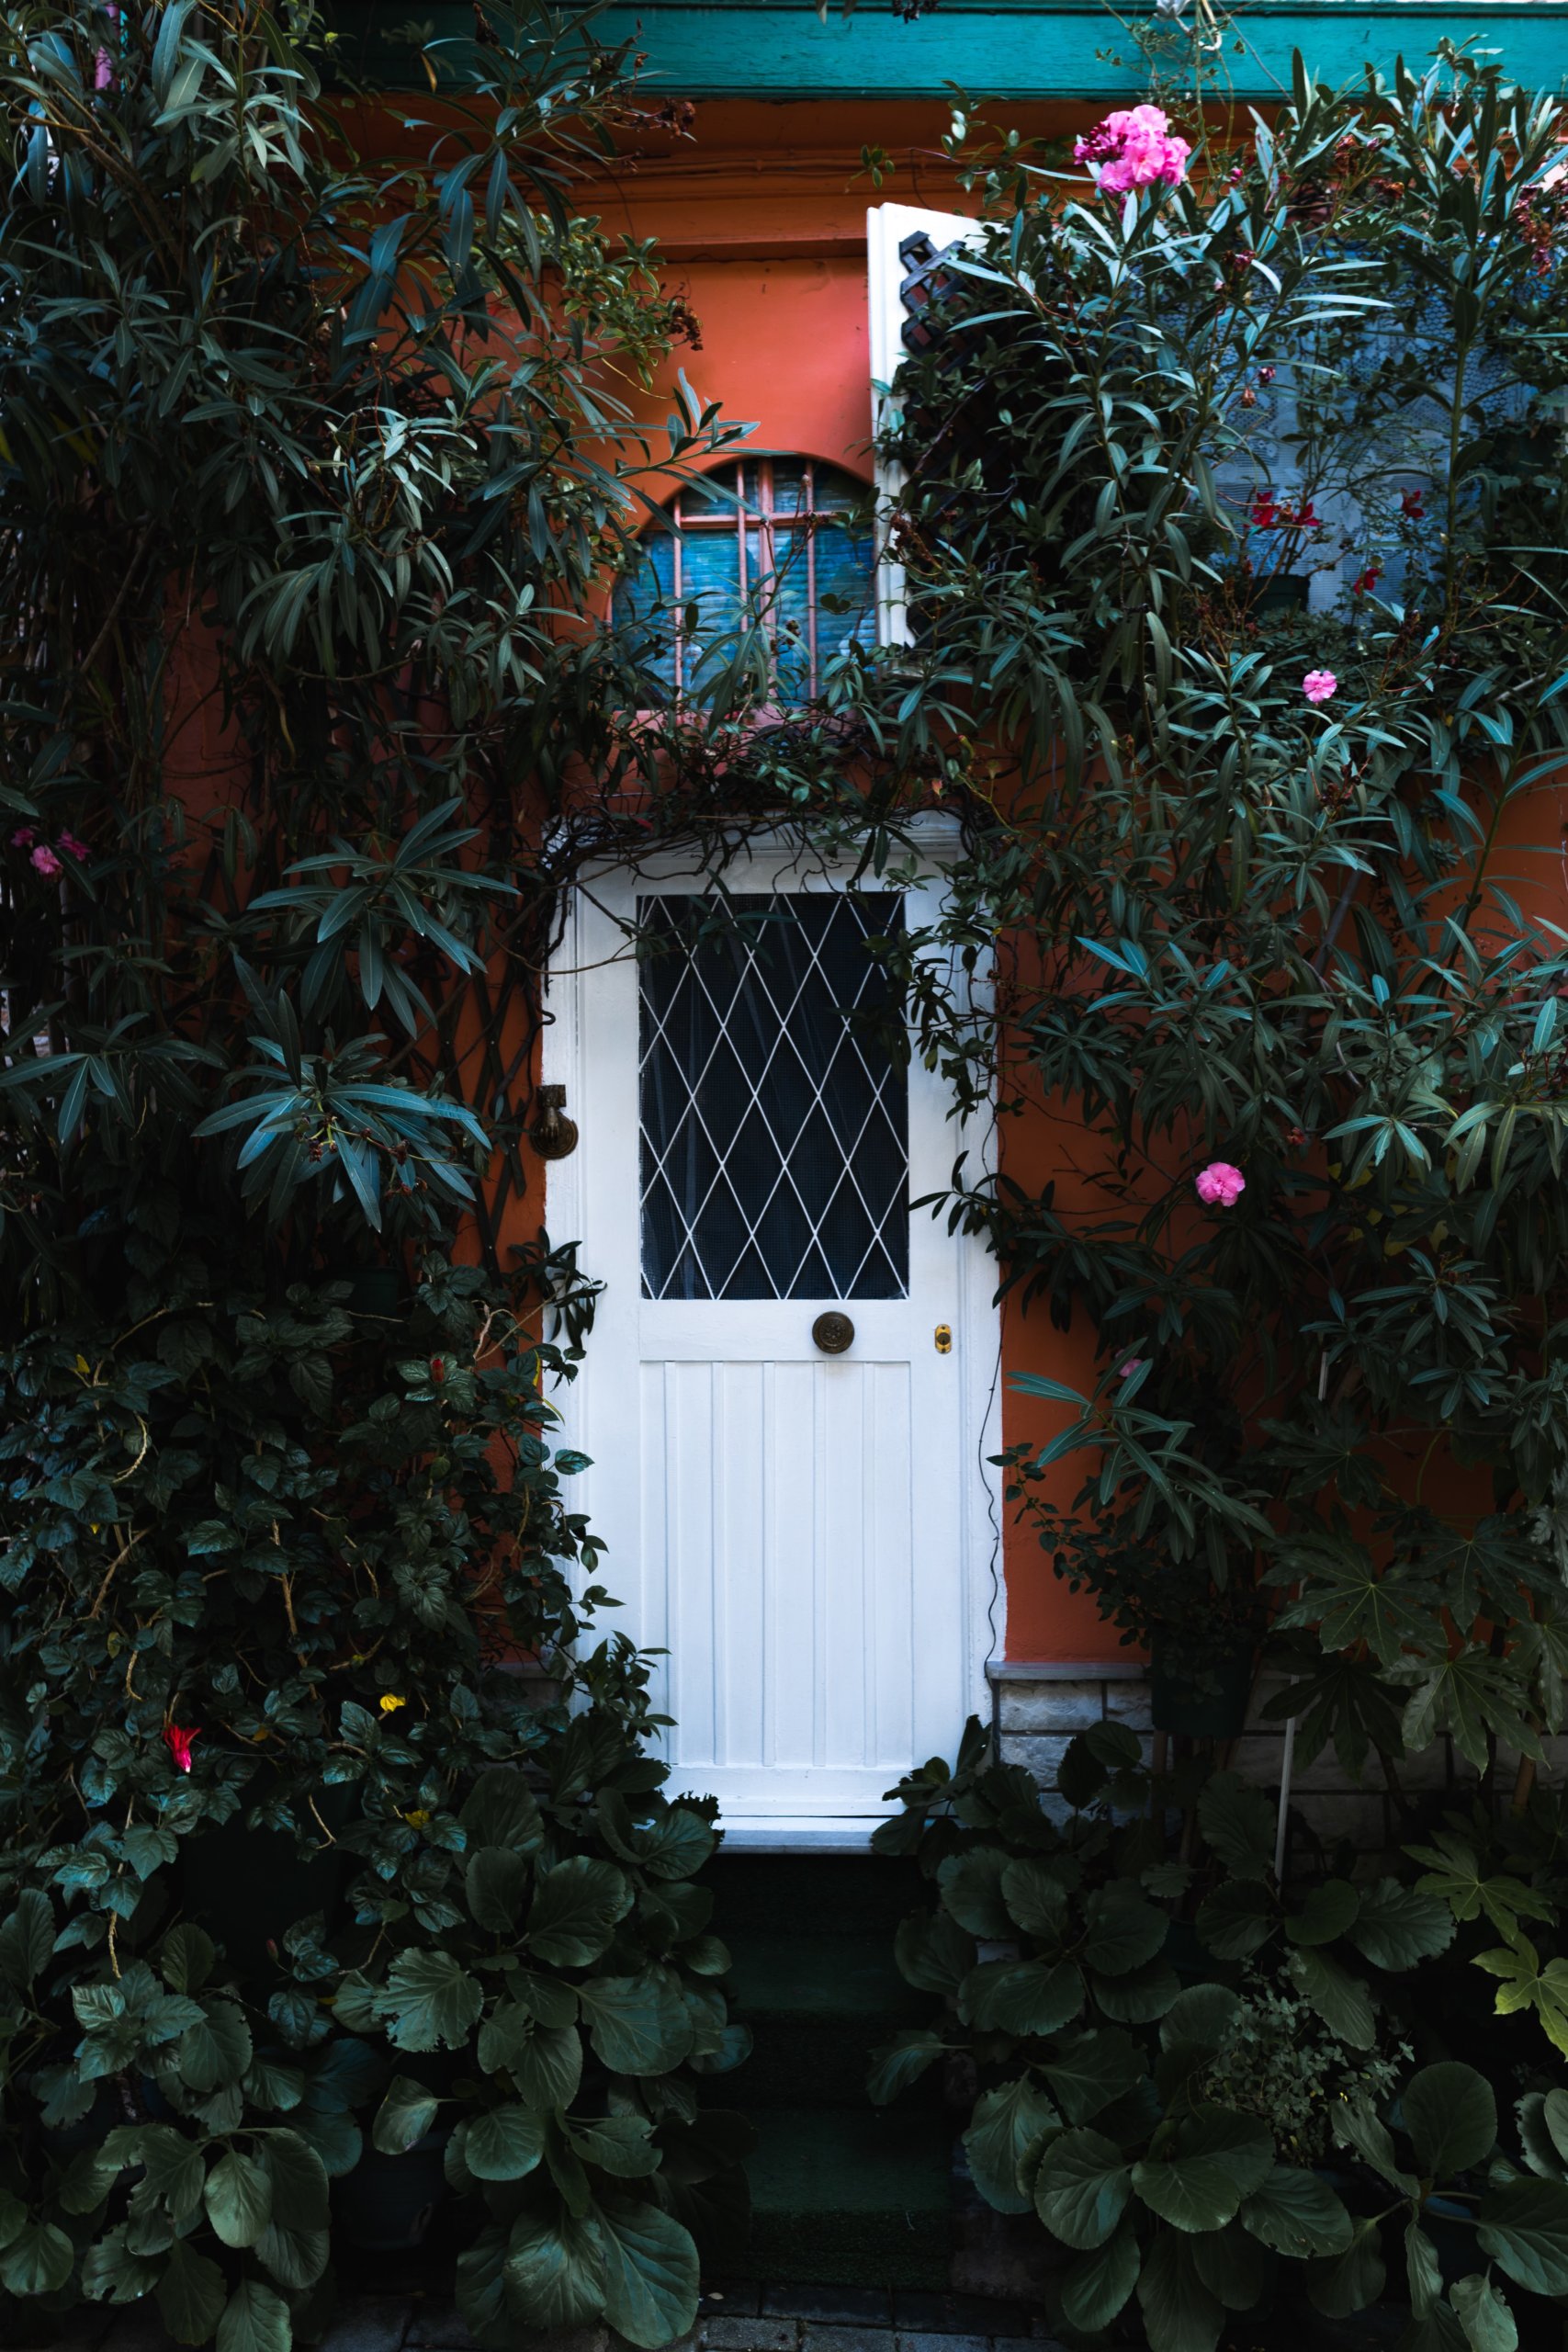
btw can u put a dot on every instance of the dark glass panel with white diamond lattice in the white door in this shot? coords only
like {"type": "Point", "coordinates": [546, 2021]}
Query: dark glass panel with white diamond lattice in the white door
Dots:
{"type": "Point", "coordinates": [775, 1125]}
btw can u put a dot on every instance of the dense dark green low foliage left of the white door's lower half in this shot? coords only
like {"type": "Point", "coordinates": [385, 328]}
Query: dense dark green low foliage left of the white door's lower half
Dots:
{"type": "Point", "coordinates": [253, 1584]}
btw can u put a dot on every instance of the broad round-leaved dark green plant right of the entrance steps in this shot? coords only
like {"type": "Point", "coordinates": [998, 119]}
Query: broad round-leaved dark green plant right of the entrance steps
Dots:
{"type": "Point", "coordinates": [1104, 2036]}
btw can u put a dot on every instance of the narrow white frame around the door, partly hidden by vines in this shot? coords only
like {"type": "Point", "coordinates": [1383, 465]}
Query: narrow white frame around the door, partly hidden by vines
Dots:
{"type": "Point", "coordinates": [977, 1337]}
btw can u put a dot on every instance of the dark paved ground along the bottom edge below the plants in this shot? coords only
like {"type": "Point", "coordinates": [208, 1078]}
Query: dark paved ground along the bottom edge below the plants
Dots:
{"type": "Point", "coordinates": [732, 2320]}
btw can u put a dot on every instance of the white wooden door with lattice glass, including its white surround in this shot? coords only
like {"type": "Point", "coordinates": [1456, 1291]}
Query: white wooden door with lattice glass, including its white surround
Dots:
{"type": "Point", "coordinates": [791, 1525]}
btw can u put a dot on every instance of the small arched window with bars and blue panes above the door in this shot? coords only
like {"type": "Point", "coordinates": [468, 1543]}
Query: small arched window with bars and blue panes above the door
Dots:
{"type": "Point", "coordinates": [782, 537]}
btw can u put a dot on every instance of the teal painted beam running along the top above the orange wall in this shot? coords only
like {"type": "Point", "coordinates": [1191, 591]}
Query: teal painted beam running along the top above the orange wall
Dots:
{"type": "Point", "coordinates": [1064, 51]}
